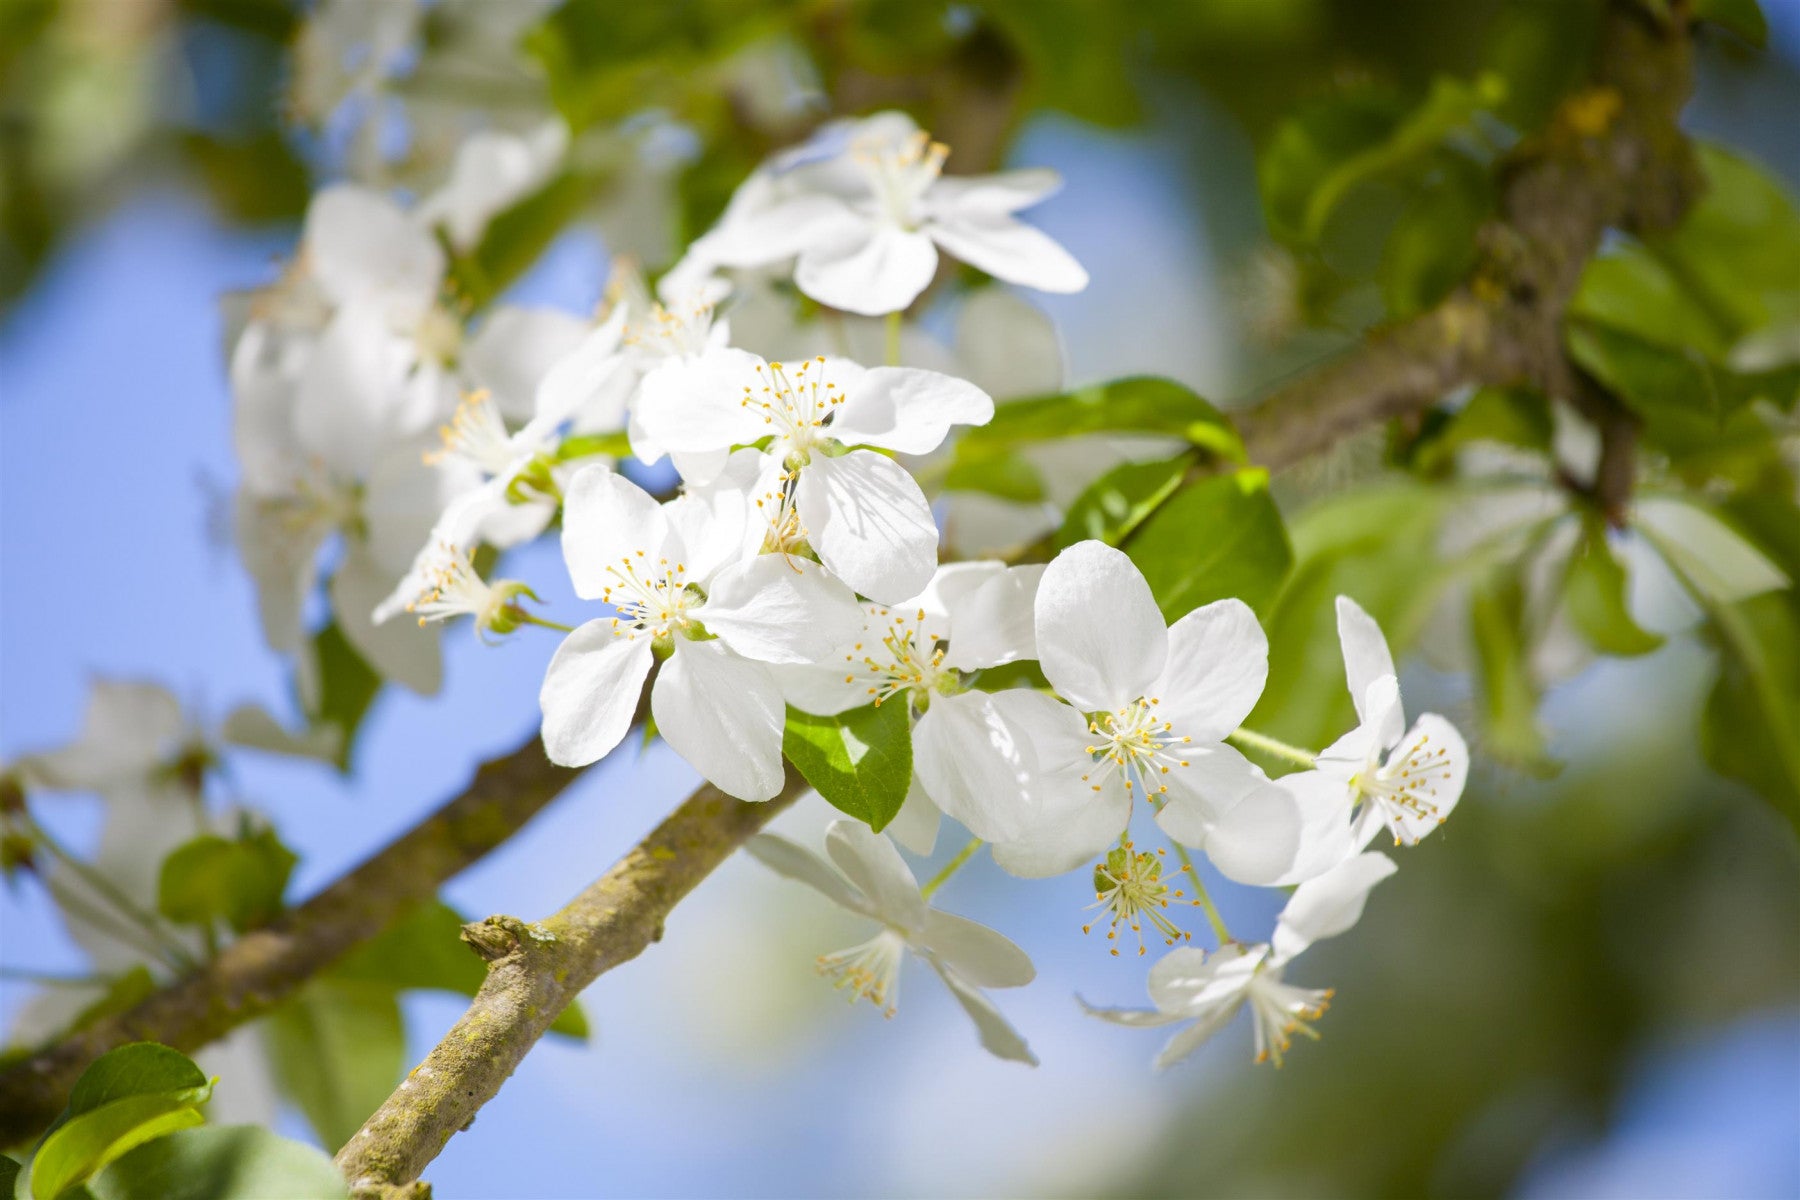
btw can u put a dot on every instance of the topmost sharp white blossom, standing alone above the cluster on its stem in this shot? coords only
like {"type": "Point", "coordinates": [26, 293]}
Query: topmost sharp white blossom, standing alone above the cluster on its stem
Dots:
{"type": "Point", "coordinates": [865, 210]}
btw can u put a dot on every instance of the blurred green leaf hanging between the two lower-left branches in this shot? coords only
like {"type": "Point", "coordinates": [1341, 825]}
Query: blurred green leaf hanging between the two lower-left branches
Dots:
{"type": "Point", "coordinates": [339, 1050]}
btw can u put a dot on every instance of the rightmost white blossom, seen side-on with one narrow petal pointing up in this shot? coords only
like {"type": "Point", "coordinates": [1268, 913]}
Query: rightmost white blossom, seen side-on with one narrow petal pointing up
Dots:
{"type": "Point", "coordinates": [1381, 775]}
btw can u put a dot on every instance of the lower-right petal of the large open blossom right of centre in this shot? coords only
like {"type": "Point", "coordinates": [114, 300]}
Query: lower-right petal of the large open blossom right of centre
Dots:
{"type": "Point", "coordinates": [1225, 807]}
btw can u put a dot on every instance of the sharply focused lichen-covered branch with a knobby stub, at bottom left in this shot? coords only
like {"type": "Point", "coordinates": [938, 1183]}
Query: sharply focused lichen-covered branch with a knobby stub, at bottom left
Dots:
{"type": "Point", "coordinates": [534, 972]}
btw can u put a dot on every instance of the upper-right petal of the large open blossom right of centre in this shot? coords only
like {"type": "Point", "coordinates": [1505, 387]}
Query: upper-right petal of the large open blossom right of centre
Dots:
{"type": "Point", "coordinates": [1218, 665]}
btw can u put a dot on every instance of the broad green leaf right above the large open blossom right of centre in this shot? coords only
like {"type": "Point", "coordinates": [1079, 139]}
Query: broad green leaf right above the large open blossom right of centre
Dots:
{"type": "Point", "coordinates": [1214, 539]}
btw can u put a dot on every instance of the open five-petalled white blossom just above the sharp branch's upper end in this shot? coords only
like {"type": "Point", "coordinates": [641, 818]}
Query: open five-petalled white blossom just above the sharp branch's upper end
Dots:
{"type": "Point", "coordinates": [679, 587]}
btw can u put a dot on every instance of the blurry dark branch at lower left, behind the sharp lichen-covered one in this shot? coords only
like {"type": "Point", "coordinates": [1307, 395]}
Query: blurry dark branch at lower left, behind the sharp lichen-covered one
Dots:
{"type": "Point", "coordinates": [265, 967]}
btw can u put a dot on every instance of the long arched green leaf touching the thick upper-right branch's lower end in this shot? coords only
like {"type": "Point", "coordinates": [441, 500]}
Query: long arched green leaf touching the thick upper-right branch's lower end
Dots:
{"type": "Point", "coordinates": [1135, 406]}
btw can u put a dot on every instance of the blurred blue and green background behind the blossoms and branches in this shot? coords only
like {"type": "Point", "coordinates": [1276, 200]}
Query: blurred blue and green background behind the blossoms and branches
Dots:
{"type": "Point", "coordinates": [1585, 987]}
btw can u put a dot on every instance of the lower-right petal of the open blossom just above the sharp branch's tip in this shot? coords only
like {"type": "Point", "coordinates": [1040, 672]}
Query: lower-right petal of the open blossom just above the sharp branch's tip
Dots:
{"type": "Point", "coordinates": [724, 715]}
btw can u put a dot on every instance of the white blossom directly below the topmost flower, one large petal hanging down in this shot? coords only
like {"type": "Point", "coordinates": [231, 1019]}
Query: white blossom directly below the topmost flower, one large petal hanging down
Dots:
{"type": "Point", "coordinates": [863, 514]}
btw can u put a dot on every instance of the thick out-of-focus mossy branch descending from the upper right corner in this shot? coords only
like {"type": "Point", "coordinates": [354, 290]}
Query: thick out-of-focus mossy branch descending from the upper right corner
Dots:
{"type": "Point", "coordinates": [1614, 157]}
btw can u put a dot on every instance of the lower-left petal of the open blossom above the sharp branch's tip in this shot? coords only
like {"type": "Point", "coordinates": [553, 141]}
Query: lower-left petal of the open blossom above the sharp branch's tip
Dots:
{"type": "Point", "coordinates": [591, 692]}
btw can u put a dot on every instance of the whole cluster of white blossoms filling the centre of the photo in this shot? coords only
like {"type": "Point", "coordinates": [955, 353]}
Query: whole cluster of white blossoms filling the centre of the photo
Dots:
{"type": "Point", "coordinates": [796, 562]}
